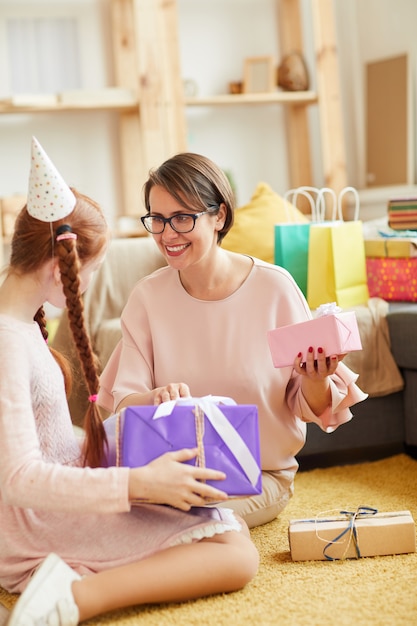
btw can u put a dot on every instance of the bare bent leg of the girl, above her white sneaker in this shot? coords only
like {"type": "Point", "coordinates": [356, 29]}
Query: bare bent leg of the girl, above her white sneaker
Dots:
{"type": "Point", "coordinates": [220, 564]}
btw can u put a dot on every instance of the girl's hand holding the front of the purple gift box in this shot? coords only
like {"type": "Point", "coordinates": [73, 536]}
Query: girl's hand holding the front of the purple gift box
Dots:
{"type": "Point", "coordinates": [168, 480]}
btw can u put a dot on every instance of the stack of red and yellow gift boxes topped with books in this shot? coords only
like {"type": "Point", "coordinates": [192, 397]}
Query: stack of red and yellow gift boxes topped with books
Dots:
{"type": "Point", "coordinates": [391, 258]}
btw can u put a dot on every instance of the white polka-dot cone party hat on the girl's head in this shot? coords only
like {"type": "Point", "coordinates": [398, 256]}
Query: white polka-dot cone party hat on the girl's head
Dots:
{"type": "Point", "coordinates": [49, 197]}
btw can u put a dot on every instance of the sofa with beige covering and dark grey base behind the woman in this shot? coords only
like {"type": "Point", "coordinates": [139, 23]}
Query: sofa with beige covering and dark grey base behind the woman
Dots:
{"type": "Point", "coordinates": [379, 421]}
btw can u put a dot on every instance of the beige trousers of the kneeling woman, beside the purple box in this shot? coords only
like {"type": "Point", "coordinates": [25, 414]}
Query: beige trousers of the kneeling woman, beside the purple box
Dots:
{"type": "Point", "coordinates": [277, 489]}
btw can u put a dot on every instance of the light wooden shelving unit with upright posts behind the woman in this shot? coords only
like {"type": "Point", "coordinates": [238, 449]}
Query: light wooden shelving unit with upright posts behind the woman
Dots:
{"type": "Point", "coordinates": [146, 61]}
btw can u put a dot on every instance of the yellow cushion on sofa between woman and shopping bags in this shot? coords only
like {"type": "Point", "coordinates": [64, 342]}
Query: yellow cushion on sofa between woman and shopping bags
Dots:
{"type": "Point", "coordinates": [253, 229]}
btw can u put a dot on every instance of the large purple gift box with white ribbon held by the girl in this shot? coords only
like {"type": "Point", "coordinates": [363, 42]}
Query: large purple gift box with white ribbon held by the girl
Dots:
{"type": "Point", "coordinates": [226, 435]}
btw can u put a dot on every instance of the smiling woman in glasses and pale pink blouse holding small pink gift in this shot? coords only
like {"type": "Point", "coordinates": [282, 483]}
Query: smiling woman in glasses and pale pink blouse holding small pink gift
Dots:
{"type": "Point", "coordinates": [199, 327]}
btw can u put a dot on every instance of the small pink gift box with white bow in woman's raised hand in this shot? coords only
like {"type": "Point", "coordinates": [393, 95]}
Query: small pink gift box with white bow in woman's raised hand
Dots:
{"type": "Point", "coordinates": [337, 333]}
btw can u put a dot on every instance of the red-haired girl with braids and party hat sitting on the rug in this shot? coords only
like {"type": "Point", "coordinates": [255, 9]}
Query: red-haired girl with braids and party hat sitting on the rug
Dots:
{"type": "Point", "coordinates": [70, 539]}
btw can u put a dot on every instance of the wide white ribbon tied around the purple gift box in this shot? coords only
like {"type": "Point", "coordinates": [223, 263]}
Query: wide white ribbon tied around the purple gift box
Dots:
{"type": "Point", "coordinates": [230, 436]}
